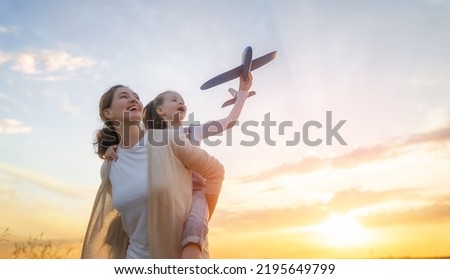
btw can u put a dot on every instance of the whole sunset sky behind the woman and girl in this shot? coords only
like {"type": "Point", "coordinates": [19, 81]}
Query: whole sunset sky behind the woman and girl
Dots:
{"type": "Point", "coordinates": [342, 153]}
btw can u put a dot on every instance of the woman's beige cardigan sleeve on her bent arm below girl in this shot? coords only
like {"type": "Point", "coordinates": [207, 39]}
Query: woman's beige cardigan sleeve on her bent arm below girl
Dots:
{"type": "Point", "coordinates": [196, 159]}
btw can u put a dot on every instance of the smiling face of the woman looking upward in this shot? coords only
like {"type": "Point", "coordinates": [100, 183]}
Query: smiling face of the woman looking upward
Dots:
{"type": "Point", "coordinates": [125, 106]}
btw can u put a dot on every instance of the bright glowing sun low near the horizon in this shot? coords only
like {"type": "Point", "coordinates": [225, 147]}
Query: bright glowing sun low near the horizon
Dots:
{"type": "Point", "coordinates": [342, 231]}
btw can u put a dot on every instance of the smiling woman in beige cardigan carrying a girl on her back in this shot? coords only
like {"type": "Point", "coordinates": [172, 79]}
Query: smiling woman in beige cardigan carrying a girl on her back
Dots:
{"type": "Point", "coordinates": [145, 197]}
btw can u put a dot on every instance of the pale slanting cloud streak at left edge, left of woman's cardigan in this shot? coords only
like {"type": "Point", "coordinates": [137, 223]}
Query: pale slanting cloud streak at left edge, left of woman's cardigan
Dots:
{"type": "Point", "coordinates": [46, 182]}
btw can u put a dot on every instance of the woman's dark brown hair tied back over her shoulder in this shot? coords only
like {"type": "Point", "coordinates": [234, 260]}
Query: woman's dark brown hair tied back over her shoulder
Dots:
{"type": "Point", "coordinates": [107, 135]}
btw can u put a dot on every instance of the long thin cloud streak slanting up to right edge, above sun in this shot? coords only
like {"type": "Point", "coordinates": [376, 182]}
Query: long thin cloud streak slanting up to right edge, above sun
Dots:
{"type": "Point", "coordinates": [353, 158]}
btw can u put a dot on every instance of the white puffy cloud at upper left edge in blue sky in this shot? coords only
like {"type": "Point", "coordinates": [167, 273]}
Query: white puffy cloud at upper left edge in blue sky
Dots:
{"type": "Point", "coordinates": [46, 62]}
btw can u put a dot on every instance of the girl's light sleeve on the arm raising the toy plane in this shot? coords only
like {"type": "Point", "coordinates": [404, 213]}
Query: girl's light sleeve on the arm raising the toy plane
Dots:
{"type": "Point", "coordinates": [215, 127]}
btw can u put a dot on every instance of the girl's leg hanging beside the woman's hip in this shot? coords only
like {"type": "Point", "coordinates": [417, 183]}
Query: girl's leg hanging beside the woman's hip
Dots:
{"type": "Point", "coordinates": [196, 226]}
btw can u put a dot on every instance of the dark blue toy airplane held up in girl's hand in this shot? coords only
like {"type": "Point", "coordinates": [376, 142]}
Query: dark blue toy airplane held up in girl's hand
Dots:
{"type": "Point", "coordinates": [247, 65]}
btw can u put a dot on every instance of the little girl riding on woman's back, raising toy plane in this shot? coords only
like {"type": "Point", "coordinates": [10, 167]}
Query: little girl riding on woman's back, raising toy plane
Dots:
{"type": "Point", "coordinates": [167, 111]}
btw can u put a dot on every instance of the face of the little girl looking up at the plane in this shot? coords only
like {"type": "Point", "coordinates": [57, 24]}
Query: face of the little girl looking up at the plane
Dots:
{"type": "Point", "coordinates": [173, 108]}
